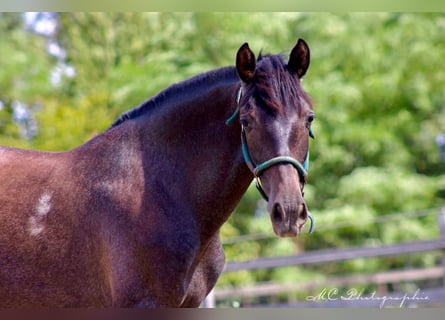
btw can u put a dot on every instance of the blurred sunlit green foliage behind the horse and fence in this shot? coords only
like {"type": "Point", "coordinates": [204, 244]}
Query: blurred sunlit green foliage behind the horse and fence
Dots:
{"type": "Point", "coordinates": [377, 171]}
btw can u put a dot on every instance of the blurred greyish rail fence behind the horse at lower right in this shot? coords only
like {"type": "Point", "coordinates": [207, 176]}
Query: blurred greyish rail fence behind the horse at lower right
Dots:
{"type": "Point", "coordinates": [336, 255]}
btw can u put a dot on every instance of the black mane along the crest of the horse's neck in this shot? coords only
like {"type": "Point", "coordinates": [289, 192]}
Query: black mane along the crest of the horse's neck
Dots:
{"type": "Point", "coordinates": [179, 91]}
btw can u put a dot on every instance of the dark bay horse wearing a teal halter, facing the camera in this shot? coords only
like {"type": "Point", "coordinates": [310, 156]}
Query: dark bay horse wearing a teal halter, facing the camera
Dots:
{"type": "Point", "coordinates": [132, 217]}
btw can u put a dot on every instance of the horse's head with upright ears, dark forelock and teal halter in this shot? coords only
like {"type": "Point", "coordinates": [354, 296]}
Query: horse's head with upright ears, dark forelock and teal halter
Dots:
{"type": "Point", "coordinates": [276, 116]}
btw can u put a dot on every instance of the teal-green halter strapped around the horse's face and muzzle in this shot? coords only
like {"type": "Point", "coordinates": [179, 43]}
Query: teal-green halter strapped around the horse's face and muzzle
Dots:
{"type": "Point", "coordinates": [257, 170]}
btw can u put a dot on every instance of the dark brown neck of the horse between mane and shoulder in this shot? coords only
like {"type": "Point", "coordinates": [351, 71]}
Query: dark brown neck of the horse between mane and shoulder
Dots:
{"type": "Point", "coordinates": [190, 148]}
